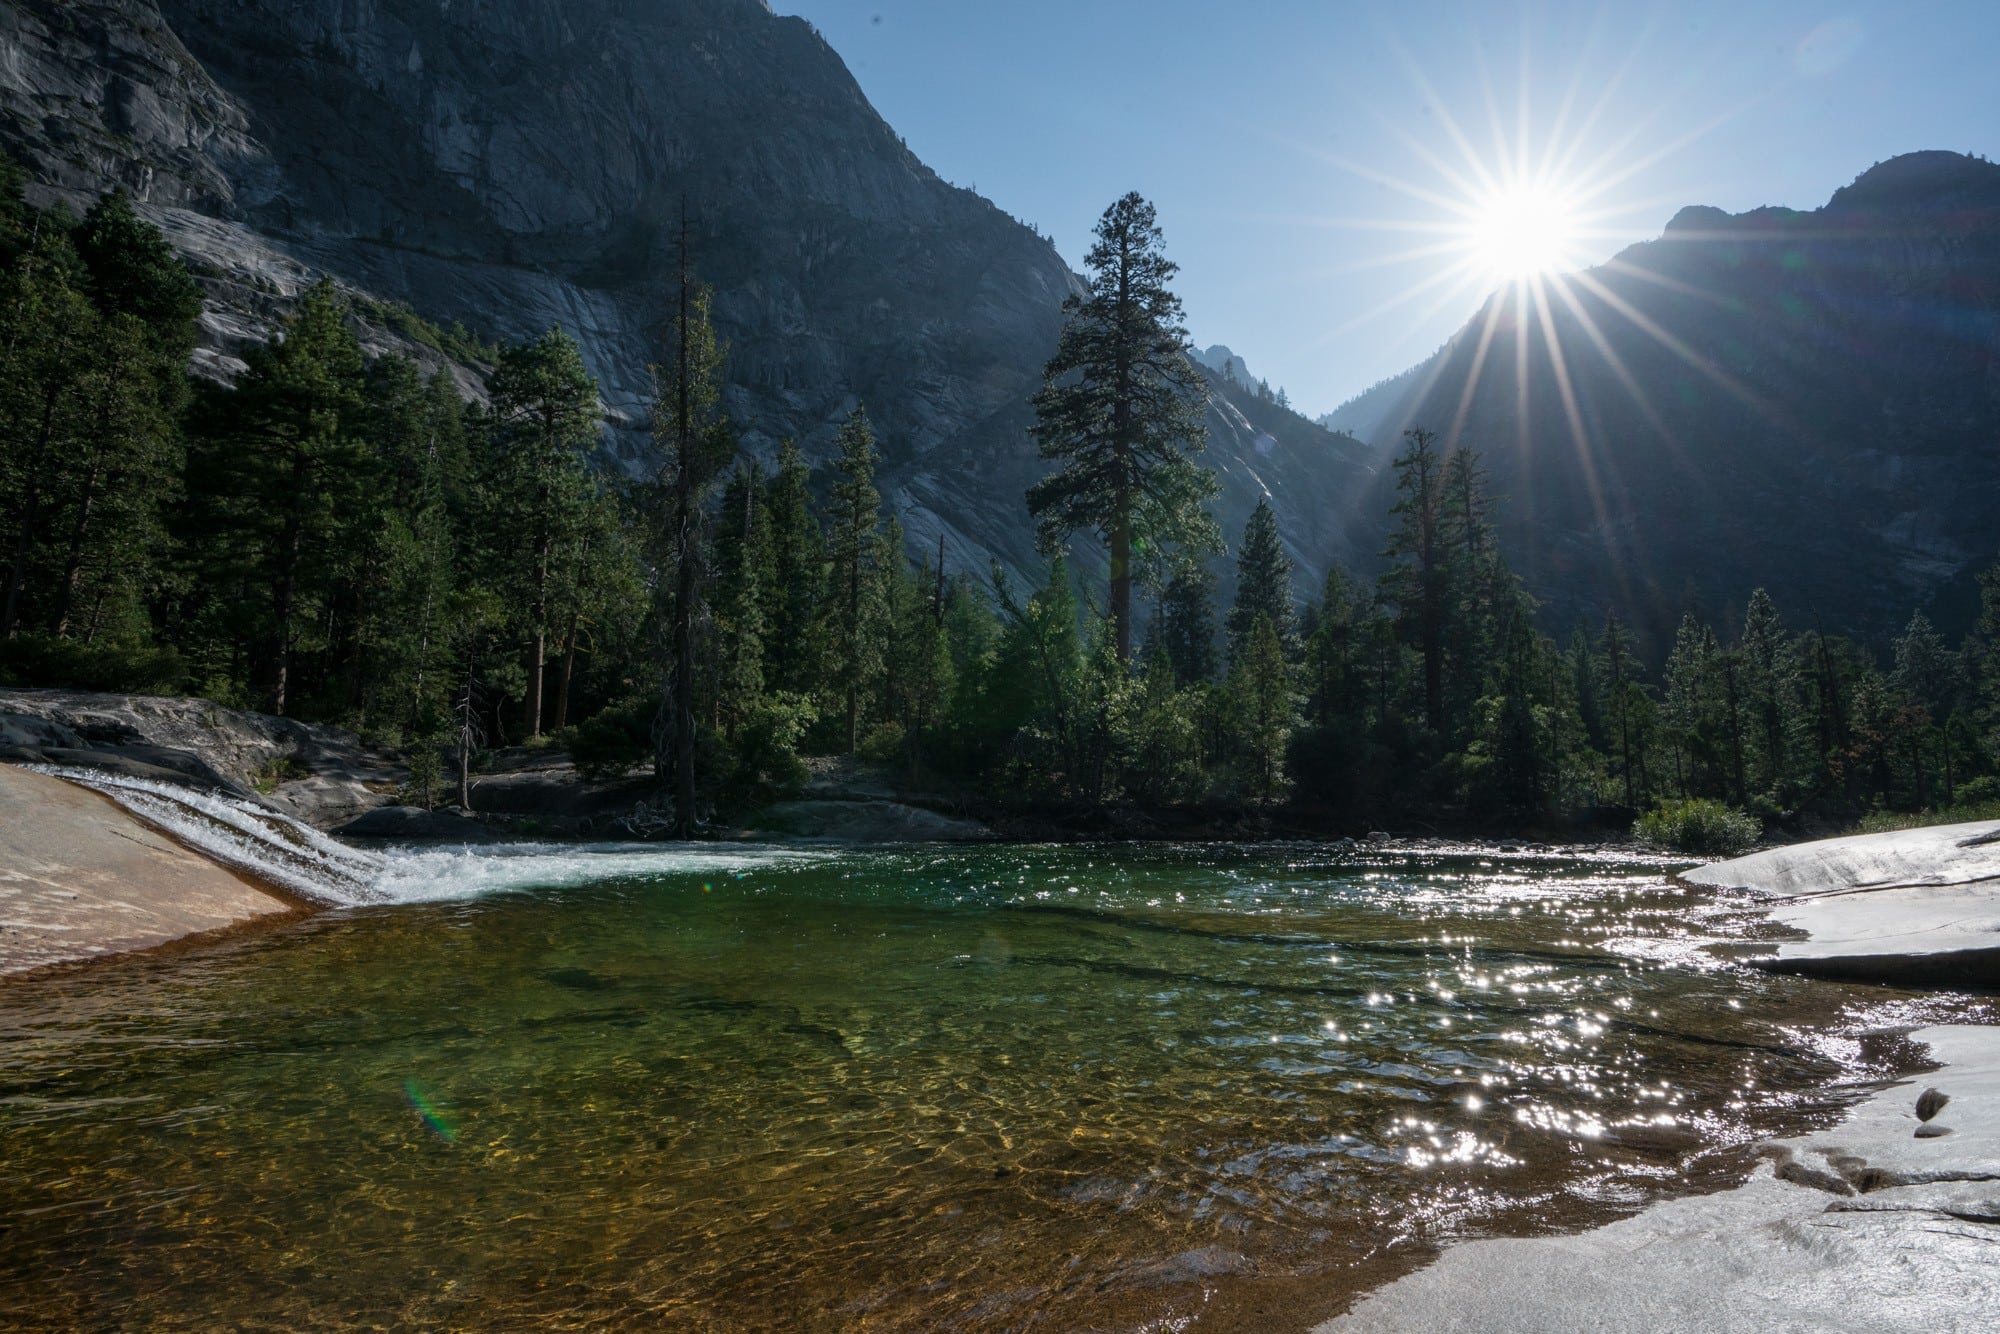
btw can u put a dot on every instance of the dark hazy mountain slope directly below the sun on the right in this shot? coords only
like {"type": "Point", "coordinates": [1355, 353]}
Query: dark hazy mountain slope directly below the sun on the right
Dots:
{"type": "Point", "coordinates": [1791, 399]}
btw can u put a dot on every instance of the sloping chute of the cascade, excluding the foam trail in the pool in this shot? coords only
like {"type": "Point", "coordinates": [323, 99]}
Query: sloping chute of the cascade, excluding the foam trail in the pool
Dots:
{"type": "Point", "coordinates": [243, 835]}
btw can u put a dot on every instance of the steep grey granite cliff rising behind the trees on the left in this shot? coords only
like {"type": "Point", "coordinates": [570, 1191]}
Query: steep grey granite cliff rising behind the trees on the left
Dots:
{"type": "Point", "coordinates": [525, 163]}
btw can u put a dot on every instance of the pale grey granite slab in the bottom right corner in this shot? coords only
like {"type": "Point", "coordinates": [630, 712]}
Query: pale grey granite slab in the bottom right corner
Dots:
{"type": "Point", "coordinates": [1885, 1225]}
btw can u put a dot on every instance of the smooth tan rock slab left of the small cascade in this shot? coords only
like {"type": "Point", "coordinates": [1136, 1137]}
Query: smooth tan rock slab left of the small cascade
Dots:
{"type": "Point", "coordinates": [83, 879]}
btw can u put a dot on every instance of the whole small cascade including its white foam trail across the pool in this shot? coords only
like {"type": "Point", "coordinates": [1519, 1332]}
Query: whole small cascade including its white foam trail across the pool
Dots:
{"type": "Point", "coordinates": [301, 859]}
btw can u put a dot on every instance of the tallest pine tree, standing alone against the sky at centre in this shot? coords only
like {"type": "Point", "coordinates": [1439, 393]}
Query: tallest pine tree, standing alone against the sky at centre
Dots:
{"type": "Point", "coordinates": [1121, 409]}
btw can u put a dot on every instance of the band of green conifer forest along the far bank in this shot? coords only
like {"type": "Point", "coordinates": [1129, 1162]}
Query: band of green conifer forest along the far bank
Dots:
{"type": "Point", "coordinates": [443, 563]}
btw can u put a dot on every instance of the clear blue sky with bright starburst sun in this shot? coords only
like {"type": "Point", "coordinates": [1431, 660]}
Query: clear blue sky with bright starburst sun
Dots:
{"type": "Point", "coordinates": [1343, 183]}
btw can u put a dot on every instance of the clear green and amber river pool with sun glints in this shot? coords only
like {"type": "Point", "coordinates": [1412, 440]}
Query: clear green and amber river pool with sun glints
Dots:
{"type": "Point", "coordinates": [987, 1089]}
